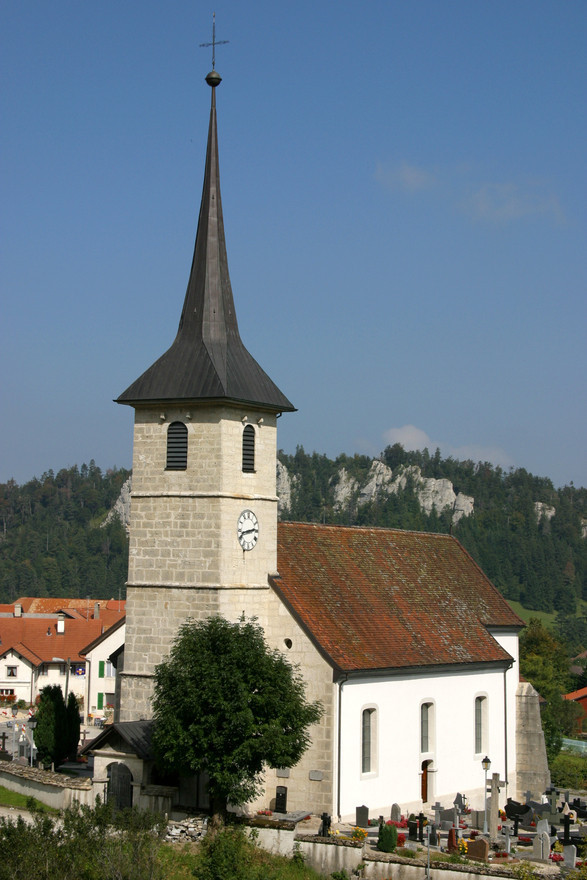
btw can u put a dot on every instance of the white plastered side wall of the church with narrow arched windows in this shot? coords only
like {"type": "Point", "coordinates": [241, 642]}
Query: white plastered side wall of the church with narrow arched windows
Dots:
{"type": "Point", "coordinates": [397, 766]}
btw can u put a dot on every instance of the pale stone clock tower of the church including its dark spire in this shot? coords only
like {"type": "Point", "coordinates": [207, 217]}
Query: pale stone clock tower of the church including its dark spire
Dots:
{"type": "Point", "coordinates": [203, 505]}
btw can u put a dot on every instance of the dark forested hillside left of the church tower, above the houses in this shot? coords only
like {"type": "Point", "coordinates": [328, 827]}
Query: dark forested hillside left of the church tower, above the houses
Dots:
{"type": "Point", "coordinates": [54, 540]}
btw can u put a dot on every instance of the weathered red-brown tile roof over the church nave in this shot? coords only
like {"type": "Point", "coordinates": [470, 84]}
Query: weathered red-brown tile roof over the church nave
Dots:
{"type": "Point", "coordinates": [382, 598]}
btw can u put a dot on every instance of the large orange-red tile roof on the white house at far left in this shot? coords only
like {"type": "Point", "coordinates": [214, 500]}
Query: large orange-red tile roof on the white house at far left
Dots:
{"type": "Point", "coordinates": [37, 638]}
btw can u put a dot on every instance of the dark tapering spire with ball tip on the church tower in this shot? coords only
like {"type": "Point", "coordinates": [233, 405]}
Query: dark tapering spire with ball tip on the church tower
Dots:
{"type": "Point", "coordinates": [208, 361]}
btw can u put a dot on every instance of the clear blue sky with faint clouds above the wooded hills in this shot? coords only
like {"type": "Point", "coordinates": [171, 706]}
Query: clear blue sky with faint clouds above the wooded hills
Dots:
{"type": "Point", "coordinates": [404, 197]}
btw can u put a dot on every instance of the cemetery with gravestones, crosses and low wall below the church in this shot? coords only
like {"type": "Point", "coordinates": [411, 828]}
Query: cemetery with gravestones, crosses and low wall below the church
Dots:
{"type": "Point", "coordinates": [450, 839]}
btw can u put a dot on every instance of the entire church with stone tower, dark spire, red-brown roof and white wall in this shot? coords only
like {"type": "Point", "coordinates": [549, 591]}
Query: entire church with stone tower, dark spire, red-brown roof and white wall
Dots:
{"type": "Point", "coordinates": [411, 650]}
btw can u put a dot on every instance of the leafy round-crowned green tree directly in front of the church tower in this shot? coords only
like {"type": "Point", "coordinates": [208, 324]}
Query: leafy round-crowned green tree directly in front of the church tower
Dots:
{"type": "Point", "coordinates": [226, 704]}
